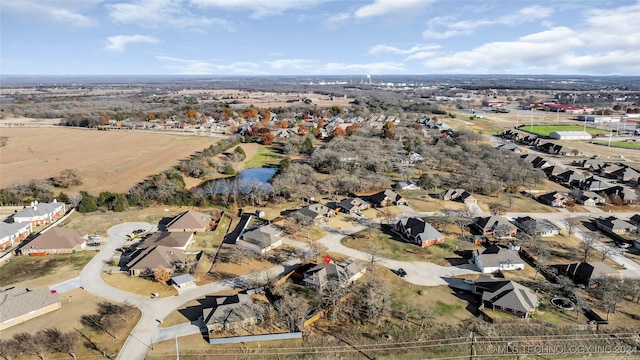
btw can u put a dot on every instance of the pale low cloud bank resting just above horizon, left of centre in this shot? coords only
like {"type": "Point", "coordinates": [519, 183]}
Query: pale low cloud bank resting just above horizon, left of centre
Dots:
{"type": "Point", "coordinates": [200, 67]}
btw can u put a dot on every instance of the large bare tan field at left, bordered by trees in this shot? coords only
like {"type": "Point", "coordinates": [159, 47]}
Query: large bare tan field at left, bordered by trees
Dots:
{"type": "Point", "coordinates": [108, 161]}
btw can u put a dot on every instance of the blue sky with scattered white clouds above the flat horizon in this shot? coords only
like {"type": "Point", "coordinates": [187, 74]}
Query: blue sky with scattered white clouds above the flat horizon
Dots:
{"type": "Point", "coordinates": [319, 37]}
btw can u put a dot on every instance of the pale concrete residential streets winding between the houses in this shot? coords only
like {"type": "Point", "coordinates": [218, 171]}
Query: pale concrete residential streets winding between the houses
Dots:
{"type": "Point", "coordinates": [147, 331]}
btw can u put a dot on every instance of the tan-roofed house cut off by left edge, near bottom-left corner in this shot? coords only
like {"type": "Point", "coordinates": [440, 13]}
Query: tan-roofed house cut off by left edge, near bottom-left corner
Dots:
{"type": "Point", "coordinates": [20, 304]}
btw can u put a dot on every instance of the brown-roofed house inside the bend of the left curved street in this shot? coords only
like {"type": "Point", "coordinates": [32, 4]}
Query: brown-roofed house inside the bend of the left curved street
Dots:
{"type": "Point", "coordinates": [145, 261]}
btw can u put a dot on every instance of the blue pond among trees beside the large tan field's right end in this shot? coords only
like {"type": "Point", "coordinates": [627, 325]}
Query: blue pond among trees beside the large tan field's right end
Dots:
{"type": "Point", "coordinates": [245, 180]}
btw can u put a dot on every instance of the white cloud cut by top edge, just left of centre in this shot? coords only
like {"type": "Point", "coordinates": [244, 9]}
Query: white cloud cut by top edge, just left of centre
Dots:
{"type": "Point", "coordinates": [259, 8]}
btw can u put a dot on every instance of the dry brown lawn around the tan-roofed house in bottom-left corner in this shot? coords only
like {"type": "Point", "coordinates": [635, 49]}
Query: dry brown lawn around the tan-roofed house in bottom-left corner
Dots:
{"type": "Point", "coordinates": [75, 304]}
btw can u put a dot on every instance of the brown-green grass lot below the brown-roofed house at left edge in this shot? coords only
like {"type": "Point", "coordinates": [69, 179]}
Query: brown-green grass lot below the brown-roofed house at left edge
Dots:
{"type": "Point", "coordinates": [43, 270]}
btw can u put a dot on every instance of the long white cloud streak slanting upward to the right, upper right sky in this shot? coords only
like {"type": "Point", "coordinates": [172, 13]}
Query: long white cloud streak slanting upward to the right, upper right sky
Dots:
{"type": "Point", "coordinates": [466, 27]}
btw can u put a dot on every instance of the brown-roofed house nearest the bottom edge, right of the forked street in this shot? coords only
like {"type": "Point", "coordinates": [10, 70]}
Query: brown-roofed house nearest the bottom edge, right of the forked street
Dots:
{"type": "Point", "coordinates": [231, 313]}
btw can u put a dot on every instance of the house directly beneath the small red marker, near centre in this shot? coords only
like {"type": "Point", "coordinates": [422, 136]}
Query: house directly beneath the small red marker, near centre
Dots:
{"type": "Point", "coordinates": [344, 274]}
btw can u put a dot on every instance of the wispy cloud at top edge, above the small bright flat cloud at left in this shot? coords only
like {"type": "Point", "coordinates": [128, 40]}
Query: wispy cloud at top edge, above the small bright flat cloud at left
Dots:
{"type": "Point", "coordinates": [161, 13]}
